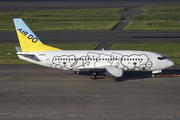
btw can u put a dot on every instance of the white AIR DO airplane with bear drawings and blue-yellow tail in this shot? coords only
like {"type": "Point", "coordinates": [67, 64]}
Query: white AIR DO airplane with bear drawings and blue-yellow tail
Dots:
{"type": "Point", "coordinates": [112, 63]}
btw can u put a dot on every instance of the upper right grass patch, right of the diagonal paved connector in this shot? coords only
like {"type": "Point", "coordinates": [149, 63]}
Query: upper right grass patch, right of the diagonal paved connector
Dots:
{"type": "Point", "coordinates": [156, 18]}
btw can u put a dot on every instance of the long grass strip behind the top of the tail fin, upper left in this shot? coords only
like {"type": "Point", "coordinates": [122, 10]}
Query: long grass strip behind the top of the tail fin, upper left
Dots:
{"type": "Point", "coordinates": [84, 19]}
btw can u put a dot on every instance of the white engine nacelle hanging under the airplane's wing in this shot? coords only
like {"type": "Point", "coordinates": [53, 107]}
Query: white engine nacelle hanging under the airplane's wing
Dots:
{"type": "Point", "coordinates": [114, 72]}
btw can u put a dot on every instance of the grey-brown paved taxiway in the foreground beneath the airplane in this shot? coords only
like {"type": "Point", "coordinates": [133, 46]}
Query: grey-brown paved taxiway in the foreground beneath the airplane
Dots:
{"type": "Point", "coordinates": [33, 92]}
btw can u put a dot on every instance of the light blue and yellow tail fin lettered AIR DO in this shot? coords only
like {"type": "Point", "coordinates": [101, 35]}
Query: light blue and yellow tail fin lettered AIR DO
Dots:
{"type": "Point", "coordinates": [28, 40]}
